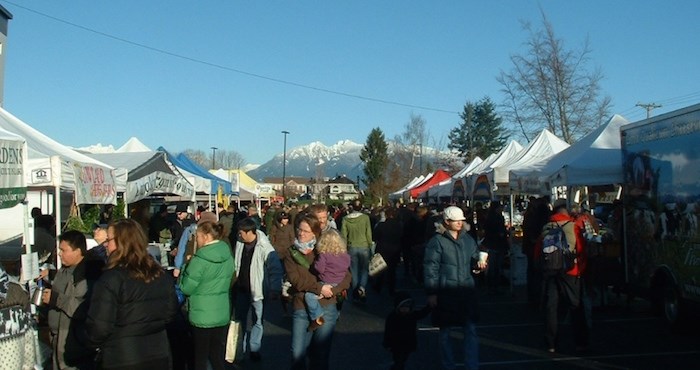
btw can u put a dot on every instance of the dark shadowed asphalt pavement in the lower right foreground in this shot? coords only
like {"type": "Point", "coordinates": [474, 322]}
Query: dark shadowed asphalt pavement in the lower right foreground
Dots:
{"type": "Point", "coordinates": [624, 335]}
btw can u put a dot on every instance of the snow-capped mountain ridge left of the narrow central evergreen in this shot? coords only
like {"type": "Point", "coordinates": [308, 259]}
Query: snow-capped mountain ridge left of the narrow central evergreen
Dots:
{"type": "Point", "coordinates": [341, 158]}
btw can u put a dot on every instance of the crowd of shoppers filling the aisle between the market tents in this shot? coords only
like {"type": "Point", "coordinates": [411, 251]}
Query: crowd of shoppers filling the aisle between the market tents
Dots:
{"type": "Point", "coordinates": [112, 305]}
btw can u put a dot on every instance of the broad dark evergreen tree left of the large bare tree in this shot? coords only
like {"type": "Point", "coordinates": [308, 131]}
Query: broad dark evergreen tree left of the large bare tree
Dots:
{"type": "Point", "coordinates": [480, 133]}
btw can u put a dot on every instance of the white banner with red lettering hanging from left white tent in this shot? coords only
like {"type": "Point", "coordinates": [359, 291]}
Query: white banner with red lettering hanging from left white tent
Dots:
{"type": "Point", "coordinates": [94, 184]}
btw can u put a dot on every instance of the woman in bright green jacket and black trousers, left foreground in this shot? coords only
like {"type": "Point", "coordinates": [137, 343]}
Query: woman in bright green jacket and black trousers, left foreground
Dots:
{"type": "Point", "coordinates": [206, 280]}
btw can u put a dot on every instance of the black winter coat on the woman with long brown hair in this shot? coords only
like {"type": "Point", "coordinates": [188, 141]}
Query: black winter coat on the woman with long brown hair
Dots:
{"type": "Point", "coordinates": [127, 319]}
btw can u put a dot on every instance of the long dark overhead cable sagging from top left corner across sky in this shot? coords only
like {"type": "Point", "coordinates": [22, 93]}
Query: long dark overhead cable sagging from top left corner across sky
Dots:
{"type": "Point", "coordinates": [230, 69]}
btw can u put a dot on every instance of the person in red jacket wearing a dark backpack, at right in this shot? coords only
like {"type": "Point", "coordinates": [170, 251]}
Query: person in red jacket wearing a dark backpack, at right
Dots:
{"type": "Point", "coordinates": [561, 257]}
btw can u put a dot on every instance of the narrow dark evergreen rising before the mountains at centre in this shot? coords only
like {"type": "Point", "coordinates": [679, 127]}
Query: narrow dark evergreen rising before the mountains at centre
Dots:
{"type": "Point", "coordinates": [376, 159]}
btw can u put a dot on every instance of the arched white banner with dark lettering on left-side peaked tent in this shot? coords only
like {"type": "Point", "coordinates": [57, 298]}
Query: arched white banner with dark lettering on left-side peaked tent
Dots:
{"type": "Point", "coordinates": [157, 182]}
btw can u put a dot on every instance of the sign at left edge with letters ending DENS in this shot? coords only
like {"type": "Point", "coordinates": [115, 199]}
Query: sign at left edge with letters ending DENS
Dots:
{"type": "Point", "coordinates": [13, 189]}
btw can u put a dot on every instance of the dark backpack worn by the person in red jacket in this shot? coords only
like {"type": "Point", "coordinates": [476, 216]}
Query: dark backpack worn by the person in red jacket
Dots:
{"type": "Point", "coordinates": [556, 257]}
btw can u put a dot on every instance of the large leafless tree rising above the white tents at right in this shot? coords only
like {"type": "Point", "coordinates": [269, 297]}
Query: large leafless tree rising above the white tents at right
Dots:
{"type": "Point", "coordinates": [550, 87]}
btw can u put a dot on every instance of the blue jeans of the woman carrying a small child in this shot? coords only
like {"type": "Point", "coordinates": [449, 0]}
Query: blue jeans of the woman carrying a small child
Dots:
{"type": "Point", "coordinates": [315, 345]}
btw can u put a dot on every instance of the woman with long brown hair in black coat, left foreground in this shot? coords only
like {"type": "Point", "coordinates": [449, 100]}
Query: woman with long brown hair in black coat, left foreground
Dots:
{"type": "Point", "coordinates": [131, 303]}
